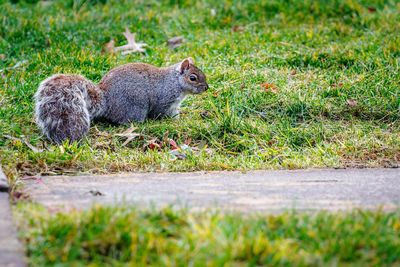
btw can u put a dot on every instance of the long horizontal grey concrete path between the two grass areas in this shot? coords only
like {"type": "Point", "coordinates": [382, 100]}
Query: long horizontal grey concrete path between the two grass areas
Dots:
{"type": "Point", "coordinates": [252, 191]}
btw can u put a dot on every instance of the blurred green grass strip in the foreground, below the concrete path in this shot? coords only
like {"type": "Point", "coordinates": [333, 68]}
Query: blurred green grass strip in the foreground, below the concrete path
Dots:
{"type": "Point", "coordinates": [124, 236]}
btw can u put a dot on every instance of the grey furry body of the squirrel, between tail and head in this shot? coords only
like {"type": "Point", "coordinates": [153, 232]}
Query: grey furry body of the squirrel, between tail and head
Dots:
{"type": "Point", "coordinates": [137, 91]}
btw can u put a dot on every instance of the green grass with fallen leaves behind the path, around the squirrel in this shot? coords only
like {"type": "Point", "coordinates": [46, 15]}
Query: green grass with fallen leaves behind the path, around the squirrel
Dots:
{"type": "Point", "coordinates": [320, 55]}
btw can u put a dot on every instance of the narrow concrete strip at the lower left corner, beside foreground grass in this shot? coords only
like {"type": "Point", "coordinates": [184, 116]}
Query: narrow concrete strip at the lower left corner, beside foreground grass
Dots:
{"type": "Point", "coordinates": [11, 251]}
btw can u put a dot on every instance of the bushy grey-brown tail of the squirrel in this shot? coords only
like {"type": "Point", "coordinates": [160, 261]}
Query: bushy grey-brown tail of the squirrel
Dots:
{"type": "Point", "coordinates": [65, 104]}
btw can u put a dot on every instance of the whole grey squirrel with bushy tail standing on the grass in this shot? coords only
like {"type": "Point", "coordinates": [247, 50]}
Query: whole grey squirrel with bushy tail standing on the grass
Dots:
{"type": "Point", "coordinates": [67, 103]}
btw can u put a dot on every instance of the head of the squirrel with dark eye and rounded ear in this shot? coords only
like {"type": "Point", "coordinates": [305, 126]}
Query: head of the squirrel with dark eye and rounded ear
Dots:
{"type": "Point", "coordinates": [191, 78]}
